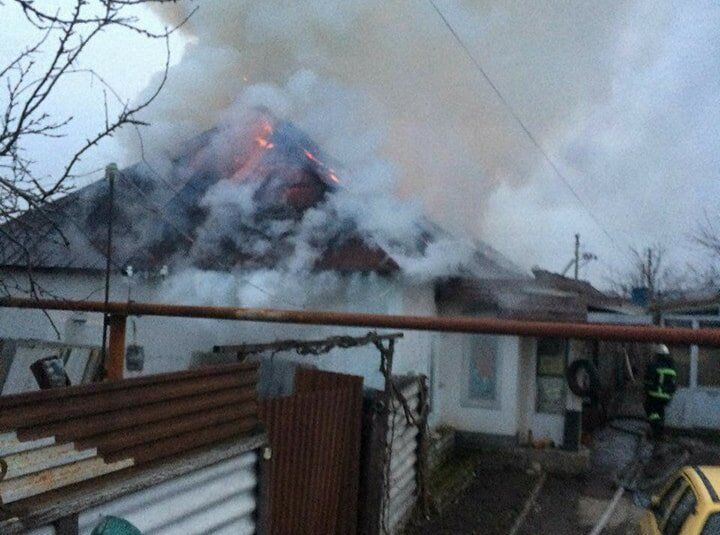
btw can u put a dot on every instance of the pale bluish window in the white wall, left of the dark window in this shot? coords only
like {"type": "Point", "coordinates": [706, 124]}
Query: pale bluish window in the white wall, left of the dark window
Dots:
{"type": "Point", "coordinates": [482, 365]}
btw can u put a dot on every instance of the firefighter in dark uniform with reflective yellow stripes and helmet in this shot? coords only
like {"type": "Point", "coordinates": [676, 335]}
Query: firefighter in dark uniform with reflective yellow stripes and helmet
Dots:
{"type": "Point", "coordinates": [660, 384]}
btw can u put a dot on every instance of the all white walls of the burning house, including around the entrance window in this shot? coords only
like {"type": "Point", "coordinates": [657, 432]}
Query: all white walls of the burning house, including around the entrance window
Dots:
{"type": "Point", "coordinates": [170, 342]}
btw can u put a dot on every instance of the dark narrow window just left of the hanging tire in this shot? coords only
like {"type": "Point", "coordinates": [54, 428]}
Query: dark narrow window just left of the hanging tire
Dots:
{"type": "Point", "coordinates": [550, 379]}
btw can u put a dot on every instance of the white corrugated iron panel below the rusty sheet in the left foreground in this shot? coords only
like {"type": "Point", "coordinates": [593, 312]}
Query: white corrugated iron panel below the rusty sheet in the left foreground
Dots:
{"type": "Point", "coordinates": [216, 499]}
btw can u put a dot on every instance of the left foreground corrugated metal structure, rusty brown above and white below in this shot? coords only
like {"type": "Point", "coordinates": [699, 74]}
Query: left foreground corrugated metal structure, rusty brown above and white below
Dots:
{"type": "Point", "coordinates": [170, 453]}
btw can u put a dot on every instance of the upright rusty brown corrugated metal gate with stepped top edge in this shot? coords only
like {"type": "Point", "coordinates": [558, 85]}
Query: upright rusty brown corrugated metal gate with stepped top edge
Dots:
{"type": "Point", "coordinates": [315, 440]}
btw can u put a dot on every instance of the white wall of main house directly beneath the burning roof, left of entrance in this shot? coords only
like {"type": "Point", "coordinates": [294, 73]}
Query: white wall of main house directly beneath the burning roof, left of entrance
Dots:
{"type": "Point", "coordinates": [170, 342]}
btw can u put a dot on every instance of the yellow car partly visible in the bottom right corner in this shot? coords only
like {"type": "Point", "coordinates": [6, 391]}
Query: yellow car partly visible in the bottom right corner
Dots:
{"type": "Point", "coordinates": [688, 505]}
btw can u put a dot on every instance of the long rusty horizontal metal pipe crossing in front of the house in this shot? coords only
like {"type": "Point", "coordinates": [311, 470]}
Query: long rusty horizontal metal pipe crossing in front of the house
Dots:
{"type": "Point", "coordinates": [461, 324]}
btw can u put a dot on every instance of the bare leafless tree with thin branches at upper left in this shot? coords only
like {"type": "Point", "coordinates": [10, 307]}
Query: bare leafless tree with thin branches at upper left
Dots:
{"type": "Point", "coordinates": [29, 80]}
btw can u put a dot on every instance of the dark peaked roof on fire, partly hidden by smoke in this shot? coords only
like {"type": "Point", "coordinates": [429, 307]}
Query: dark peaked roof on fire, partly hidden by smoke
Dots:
{"type": "Point", "coordinates": [159, 218]}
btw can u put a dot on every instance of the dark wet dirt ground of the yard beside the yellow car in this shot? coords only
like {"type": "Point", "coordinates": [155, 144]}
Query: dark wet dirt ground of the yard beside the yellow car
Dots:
{"type": "Point", "coordinates": [564, 505]}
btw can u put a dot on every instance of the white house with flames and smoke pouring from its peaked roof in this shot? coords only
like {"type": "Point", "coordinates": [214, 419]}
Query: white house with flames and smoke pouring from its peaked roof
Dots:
{"type": "Point", "coordinates": [257, 215]}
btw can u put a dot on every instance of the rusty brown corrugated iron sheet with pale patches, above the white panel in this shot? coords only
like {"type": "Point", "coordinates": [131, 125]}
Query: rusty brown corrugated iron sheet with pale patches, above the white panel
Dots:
{"type": "Point", "coordinates": [53, 438]}
